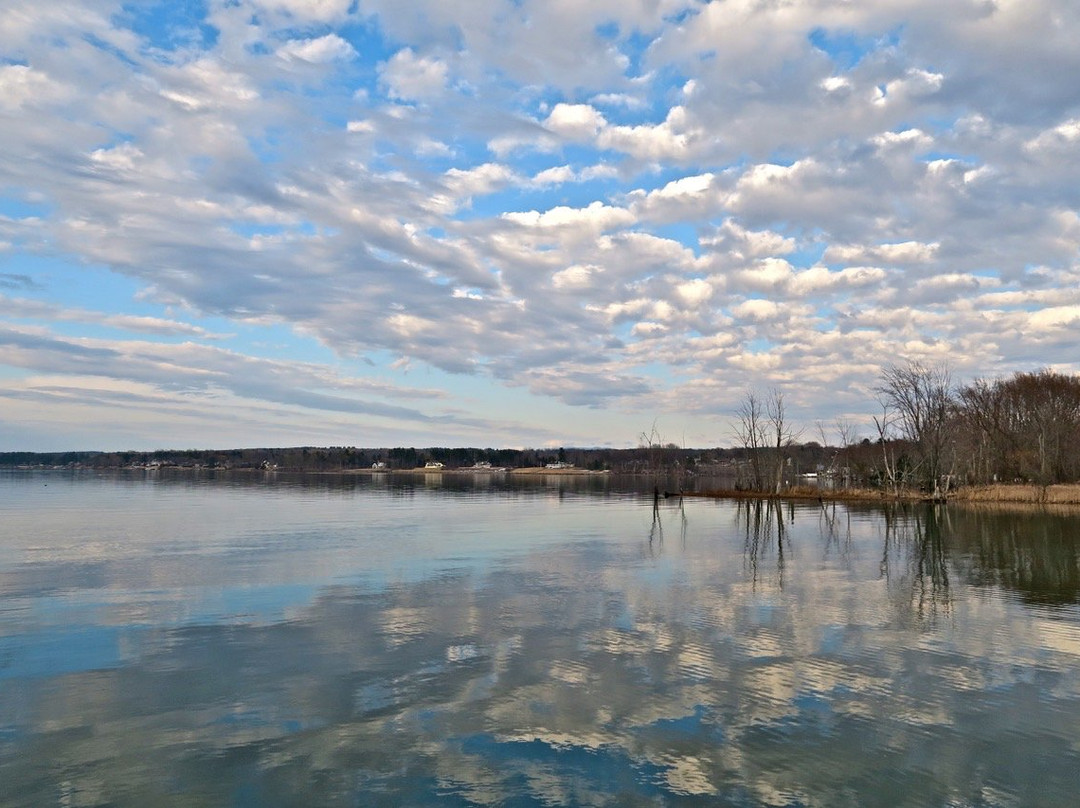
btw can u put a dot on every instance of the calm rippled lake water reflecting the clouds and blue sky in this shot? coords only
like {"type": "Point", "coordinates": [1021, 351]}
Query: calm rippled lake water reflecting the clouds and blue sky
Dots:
{"type": "Point", "coordinates": [322, 642]}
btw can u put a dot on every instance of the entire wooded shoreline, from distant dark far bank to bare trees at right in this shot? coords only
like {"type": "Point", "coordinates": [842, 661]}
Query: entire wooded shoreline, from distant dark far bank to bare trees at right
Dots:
{"type": "Point", "coordinates": [927, 435]}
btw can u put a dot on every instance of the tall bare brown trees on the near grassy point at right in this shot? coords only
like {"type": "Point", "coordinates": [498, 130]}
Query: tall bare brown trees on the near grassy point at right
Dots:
{"type": "Point", "coordinates": [931, 435]}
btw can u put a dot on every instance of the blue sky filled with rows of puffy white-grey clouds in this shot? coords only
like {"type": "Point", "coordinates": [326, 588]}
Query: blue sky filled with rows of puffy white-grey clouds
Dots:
{"type": "Point", "coordinates": [522, 223]}
